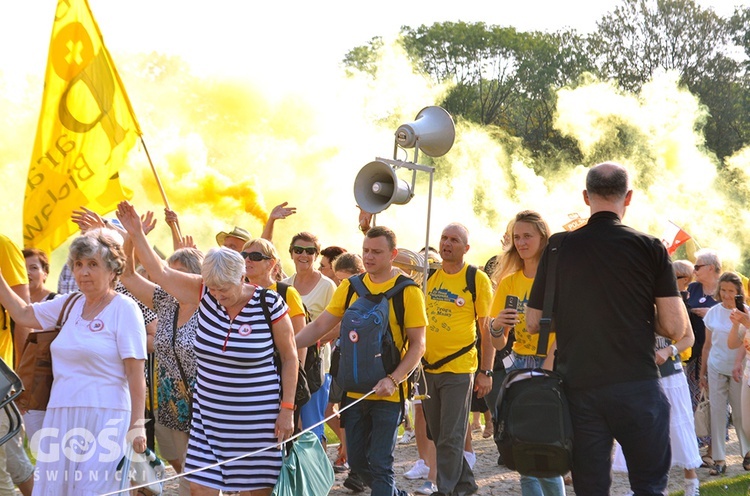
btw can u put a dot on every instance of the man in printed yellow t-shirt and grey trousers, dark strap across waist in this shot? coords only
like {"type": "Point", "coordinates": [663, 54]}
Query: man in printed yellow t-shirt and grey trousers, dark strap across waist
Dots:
{"type": "Point", "coordinates": [457, 294]}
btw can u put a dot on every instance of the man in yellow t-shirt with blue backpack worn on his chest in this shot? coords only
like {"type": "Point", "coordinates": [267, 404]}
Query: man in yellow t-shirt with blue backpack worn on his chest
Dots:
{"type": "Point", "coordinates": [372, 424]}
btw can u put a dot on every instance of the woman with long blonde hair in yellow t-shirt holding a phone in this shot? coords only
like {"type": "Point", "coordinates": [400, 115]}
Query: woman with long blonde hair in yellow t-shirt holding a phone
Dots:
{"type": "Point", "coordinates": [514, 276]}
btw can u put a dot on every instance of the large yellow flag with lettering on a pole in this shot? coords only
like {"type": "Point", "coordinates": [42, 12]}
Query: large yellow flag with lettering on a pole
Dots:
{"type": "Point", "coordinates": [86, 128]}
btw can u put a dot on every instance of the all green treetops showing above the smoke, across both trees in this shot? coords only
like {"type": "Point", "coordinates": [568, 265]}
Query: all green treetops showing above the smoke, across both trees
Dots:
{"type": "Point", "coordinates": [508, 79]}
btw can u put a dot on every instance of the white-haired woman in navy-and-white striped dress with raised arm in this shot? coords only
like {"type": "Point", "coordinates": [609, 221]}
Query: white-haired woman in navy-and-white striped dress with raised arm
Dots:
{"type": "Point", "coordinates": [242, 403]}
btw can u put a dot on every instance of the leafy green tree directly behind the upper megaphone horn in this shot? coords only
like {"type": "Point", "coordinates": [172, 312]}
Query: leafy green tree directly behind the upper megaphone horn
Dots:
{"type": "Point", "coordinates": [502, 77]}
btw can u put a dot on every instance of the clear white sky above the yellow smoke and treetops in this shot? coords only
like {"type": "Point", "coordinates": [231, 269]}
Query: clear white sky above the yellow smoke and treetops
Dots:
{"type": "Point", "coordinates": [281, 42]}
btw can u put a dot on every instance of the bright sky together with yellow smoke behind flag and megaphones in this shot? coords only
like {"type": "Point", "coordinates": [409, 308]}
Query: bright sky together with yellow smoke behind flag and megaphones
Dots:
{"type": "Point", "coordinates": [260, 53]}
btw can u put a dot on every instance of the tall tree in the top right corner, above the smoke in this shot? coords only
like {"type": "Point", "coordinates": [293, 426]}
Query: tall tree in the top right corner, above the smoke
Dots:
{"type": "Point", "coordinates": [641, 37]}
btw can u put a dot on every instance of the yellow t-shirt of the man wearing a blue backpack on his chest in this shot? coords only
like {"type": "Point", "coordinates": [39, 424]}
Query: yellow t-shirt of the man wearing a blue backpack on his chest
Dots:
{"type": "Point", "coordinates": [414, 316]}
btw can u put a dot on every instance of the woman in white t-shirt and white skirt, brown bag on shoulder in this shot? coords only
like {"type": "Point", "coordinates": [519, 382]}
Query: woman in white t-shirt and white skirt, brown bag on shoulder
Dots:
{"type": "Point", "coordinates": [99, 391]}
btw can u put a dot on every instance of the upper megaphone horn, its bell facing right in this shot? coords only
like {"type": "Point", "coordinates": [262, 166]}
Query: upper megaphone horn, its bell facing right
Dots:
{"type": "Point", "coordinates": [433, 132]}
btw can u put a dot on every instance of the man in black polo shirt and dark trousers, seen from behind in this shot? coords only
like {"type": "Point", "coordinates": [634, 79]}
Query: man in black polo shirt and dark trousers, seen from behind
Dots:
{"type": "Point", "coordinates": [610, 280]}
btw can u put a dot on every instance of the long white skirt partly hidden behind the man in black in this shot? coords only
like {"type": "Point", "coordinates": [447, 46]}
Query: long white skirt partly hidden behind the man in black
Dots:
{"type": "Point", "coordinates": [685, 452]}
